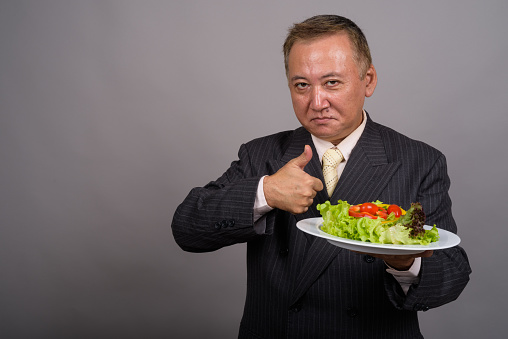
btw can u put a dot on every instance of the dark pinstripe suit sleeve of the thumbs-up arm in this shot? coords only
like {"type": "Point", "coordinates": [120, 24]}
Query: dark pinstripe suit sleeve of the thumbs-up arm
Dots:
{"type": "Point", "coordinates": [220, 213]}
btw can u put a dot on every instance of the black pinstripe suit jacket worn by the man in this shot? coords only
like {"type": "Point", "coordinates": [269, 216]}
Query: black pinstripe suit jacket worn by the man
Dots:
{"type": "Point", "coordinates": [299, 286]}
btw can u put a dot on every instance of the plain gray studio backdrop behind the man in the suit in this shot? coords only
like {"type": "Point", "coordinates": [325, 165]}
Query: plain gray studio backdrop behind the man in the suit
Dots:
{"type": "Point", "coordinates": [108, 107]}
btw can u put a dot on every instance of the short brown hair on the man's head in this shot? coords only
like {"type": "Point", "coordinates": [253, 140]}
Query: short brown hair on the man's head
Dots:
{"type": "Point", "coordinates": [324, 25]}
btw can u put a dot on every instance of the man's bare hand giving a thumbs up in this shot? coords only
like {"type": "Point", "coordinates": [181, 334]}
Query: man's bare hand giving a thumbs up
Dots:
{"type": "Point", "coordinates": [291, 189]}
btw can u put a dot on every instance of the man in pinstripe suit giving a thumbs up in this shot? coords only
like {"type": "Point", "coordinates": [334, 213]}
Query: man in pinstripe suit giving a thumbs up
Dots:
{"type": "Point", "coordinates": [299, 286]}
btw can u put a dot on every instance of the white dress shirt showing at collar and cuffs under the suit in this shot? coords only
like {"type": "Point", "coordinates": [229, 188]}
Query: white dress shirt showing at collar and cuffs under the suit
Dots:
{"type": "Point", "coordinates": [405, 278]}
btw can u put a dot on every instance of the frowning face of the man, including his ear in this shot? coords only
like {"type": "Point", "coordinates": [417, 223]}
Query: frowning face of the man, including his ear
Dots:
{"type": "Point", "coordinates": [325, 85]}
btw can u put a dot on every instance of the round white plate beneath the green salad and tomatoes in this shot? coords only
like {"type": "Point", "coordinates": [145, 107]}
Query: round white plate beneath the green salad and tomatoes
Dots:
{"type": "Point", "coordinates": [313, 226]}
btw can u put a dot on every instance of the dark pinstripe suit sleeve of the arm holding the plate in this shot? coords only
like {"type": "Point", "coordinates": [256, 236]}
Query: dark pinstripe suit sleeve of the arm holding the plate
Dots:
{"type": "Point", "coordinates": [444, 275]}
